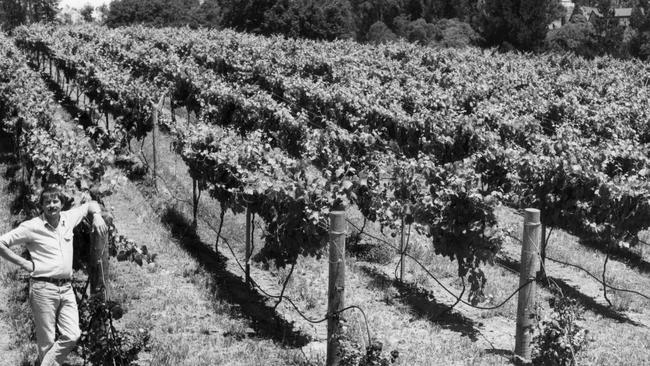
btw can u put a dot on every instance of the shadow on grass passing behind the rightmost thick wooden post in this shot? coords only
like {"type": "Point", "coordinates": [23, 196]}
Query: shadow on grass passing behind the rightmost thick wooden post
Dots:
{"type": "Point", "coordinates": [586, 301]}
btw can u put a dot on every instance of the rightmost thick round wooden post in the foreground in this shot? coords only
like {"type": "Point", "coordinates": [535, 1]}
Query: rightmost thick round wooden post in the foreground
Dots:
{"type": "Point", "coordinates": [526, 304]}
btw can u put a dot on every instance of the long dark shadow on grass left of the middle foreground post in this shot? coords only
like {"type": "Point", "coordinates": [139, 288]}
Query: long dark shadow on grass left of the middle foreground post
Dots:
{"type": "Point", "coordinates": [265, 321]}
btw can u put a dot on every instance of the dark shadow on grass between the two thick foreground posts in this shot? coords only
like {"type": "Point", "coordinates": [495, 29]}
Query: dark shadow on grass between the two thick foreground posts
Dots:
{"type": "Point", "coordinates": [424, 304]}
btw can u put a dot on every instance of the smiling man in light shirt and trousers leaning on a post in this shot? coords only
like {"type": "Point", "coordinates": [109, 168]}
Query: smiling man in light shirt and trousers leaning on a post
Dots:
{"type": "Point", "coordinates": [48, 238]}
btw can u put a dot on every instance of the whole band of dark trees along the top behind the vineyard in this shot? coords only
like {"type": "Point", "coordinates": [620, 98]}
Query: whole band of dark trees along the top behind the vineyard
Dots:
{"type": "Point", "coordinates": [508, 24]}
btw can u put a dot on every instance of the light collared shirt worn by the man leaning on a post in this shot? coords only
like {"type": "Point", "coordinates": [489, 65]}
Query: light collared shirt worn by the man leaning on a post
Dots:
{"type": "Point", "coordinates": [50, 247]}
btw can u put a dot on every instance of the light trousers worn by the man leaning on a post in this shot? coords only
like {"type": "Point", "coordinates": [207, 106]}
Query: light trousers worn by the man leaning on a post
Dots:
{"type": "Point", "coordinates": [54, 308]}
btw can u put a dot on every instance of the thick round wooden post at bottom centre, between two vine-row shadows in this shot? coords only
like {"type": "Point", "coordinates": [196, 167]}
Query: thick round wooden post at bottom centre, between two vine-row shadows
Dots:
{"type": "Point", "coordinates": [336, 289]}
